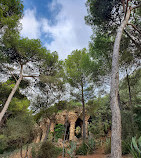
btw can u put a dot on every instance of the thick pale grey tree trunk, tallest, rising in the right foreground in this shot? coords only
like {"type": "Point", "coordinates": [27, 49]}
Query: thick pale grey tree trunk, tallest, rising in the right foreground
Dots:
{"type": "Point", "coordinates": [116, 151]}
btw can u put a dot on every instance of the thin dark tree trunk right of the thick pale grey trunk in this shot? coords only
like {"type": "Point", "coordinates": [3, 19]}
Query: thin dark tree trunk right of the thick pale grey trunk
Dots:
{"type": "Point", "coordinates": [130, 103]}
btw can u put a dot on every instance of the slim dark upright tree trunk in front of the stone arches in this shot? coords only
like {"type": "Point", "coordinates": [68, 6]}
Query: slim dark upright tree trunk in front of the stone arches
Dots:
{"type": "Point", "coordinates": [83, 104]}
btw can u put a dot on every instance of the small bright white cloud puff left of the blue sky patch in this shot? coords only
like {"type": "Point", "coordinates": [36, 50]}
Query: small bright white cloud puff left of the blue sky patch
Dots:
{"type": "Point", "coordinates": [30, 25]}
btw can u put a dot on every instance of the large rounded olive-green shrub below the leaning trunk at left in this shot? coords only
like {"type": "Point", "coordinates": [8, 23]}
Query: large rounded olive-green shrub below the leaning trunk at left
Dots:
{"type": "Point", "coordinates": [18, 131]}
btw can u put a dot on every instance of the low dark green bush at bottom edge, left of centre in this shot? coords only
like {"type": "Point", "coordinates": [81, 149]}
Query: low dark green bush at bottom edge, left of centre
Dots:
{"type": "Point", "coordinates": [48, 150]}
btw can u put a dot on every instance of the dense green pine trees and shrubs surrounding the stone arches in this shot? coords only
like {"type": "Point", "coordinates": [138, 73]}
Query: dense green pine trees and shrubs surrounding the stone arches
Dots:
{"type": "Point", "coordinates": [35, 84]}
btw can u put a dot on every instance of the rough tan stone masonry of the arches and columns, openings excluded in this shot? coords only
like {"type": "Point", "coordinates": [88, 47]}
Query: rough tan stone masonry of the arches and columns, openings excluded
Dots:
{"type": "Point", "coordinates": [60, 118]}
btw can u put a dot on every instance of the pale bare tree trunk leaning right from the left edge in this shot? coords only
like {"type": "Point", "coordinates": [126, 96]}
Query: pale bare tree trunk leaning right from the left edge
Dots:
{"type": "Point", "coordinates": [11, 95]}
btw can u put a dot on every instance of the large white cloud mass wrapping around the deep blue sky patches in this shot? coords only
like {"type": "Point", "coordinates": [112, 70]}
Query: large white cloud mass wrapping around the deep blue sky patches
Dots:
{"type": "Point", "coordinates": [69, 33]}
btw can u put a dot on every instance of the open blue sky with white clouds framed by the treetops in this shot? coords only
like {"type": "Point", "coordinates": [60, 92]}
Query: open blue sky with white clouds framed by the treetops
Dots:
{"type": "Point", "coordinates": [59, 24]}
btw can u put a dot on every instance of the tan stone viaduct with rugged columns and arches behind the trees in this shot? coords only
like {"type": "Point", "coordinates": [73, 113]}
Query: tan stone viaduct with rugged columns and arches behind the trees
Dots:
{"type": "Point", "coordinates": [73, 118]}
